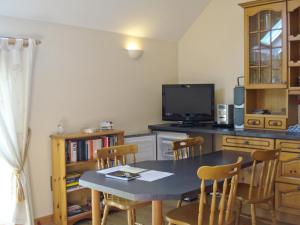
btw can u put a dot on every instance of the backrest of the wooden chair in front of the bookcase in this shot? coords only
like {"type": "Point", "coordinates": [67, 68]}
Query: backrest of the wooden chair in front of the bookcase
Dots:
{"type": "Point", "coordinates": [116, 155]}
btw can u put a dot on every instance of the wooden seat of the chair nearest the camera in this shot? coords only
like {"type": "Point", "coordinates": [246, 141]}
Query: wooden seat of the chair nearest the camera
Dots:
{"type": "Point", "coordinates": [188, 215]}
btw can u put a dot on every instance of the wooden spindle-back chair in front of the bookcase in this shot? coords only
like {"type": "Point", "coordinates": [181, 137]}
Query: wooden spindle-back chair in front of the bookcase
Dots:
{"type": "Point", "coordinates": [114, 156]}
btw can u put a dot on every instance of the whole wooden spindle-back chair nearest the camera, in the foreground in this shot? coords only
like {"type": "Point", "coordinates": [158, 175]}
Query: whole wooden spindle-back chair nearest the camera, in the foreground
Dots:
{"type": "Point", "coordinates": [211, 212]}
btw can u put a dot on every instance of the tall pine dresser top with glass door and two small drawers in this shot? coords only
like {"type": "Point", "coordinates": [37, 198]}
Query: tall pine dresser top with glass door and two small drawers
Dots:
{"type": "Point", "coordinates": [271, 41]}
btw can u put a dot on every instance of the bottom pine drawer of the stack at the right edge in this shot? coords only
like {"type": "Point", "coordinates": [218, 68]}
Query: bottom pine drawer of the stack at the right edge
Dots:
{"type": "Point", "coordinates": [287, 198]}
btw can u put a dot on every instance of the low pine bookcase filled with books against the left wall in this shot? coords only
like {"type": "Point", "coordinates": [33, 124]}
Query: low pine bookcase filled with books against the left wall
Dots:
{"type": "Point", "coordinates": [64, 165]}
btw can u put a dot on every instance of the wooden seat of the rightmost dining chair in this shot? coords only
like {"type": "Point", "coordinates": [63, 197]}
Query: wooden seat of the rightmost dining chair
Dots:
{"type": "Point", "coordinates": [243, 194]}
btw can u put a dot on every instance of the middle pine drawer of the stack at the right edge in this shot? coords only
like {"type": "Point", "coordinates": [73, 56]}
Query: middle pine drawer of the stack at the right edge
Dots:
{"type": "Point", "coordinates": [289, 167]}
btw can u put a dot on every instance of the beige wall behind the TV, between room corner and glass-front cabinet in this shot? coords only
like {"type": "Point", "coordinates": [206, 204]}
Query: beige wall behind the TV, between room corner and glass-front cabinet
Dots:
{"type": "Point", "coordinates": [211, 51]}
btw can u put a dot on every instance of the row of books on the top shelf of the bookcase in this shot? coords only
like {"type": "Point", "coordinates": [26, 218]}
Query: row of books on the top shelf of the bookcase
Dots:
{"type": "Point", "coordinates": [83, 150]}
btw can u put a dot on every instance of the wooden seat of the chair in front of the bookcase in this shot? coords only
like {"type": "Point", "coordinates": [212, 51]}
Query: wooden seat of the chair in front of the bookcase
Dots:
{"type": "Point", "coordinates": [122, 203]}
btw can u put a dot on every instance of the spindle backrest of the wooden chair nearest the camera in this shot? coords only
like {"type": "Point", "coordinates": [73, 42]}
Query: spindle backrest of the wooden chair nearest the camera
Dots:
{"type": "Point", "coordinates": [226, 177]}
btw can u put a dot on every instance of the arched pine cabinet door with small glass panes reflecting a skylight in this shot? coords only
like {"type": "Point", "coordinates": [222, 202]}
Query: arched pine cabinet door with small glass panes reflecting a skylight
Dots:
{"type": "Point", "coordinates": [265, 46]}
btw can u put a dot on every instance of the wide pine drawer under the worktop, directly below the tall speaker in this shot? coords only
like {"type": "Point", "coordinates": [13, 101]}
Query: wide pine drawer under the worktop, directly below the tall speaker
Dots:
{"type": "Point", "coordinates": [248, 142]}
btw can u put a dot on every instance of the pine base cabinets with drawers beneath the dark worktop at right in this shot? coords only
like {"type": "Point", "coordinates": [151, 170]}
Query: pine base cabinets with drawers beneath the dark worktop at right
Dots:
{"type": "Point", "coordinates": [287, 182]}
